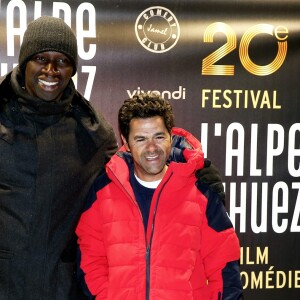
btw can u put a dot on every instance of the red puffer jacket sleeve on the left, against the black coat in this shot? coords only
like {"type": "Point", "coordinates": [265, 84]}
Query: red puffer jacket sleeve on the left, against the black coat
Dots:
{"type": "Point", "coordinates": [93, 258]}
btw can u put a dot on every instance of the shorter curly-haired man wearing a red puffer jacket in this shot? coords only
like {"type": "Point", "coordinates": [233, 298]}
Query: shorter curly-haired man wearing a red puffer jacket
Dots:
{"type": "Point", "coordinates": [152, 230]}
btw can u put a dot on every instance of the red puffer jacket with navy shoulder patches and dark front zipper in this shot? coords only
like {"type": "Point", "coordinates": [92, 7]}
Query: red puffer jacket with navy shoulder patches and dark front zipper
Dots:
{"type": "Point", "coordinates": [189, 245]}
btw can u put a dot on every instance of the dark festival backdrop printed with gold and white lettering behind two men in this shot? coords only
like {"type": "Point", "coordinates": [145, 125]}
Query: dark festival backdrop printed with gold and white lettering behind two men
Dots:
{"type": "Point", "coordinates": [231, 71]}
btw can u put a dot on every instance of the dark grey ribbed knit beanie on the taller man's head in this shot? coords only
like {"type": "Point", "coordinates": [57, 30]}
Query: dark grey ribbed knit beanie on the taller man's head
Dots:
{"type": "Point", "coordinates": [48, 34]}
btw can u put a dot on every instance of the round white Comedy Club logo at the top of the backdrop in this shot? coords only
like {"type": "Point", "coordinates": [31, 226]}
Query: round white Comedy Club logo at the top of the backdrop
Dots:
{"type": "Point", "coordinates": [157, 29]}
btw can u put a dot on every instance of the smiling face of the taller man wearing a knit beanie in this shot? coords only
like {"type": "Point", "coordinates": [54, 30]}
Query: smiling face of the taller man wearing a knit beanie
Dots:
{"type": "Point", "coordinates": [47, 74]}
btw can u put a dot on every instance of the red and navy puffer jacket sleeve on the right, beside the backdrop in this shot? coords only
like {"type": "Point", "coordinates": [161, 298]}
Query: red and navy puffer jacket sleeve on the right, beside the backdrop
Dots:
{"type": "Point", "coordinates": [220, 250]}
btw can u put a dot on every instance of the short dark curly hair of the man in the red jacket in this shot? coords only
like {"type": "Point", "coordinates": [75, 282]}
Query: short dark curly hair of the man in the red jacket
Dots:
{"type": "Point", "coordinates": [144, 105]}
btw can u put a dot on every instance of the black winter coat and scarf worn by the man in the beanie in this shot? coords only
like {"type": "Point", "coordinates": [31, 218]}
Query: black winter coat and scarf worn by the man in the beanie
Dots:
{"type": "Point", "coordinates": [50, 153]}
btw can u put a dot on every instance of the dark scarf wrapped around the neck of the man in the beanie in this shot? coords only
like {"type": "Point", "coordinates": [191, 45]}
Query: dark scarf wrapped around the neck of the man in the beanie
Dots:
{"type": "Point", "coordinates": [36, 105]}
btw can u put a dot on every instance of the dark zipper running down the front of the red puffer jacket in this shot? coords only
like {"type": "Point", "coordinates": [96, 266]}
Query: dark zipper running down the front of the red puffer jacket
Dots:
{"type": "Point", "coordinates": [148, 246]}
